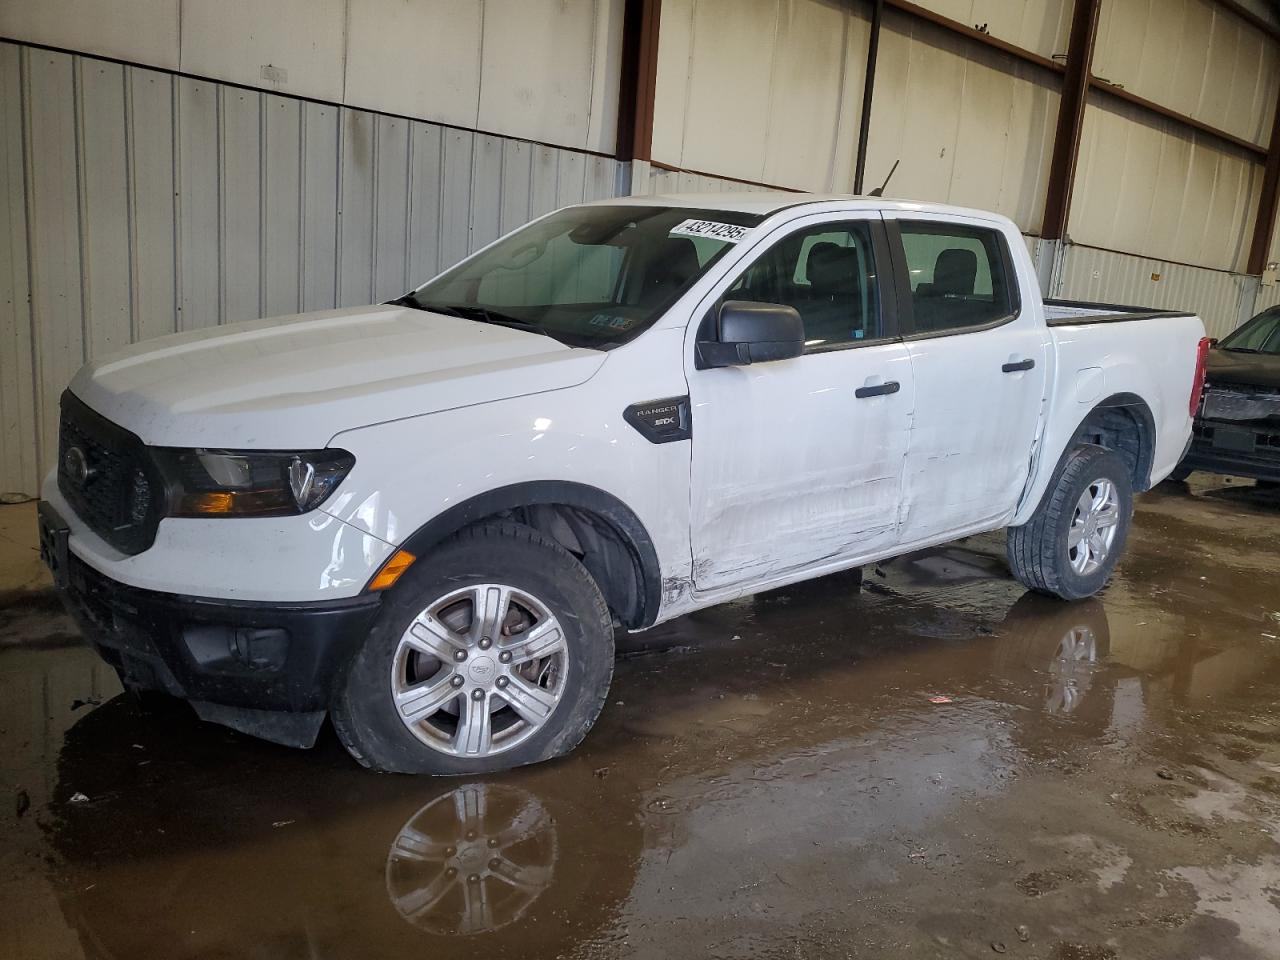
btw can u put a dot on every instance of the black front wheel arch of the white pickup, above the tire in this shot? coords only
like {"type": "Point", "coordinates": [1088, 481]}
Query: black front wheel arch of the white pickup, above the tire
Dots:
{"type": "Point", "coordinates": [600, 529]}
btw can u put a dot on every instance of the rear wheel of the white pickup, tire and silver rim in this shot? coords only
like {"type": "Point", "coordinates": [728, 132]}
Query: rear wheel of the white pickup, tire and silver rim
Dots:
{"type": "Point", "coordinates": [1072, 545]}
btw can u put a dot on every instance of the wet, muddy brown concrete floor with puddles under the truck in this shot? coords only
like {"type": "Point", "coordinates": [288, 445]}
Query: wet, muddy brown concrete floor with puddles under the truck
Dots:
{"type": "Point", "coordinates": [938, 765]}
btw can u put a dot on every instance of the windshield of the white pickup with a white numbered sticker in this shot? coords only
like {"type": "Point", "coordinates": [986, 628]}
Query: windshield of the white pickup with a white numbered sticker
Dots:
{"type": "Point", "coordinates": [591, 276]}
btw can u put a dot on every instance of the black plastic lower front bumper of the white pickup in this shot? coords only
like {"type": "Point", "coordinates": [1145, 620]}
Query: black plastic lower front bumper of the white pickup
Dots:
{"type": "Point", "coordinates": [225, 656]}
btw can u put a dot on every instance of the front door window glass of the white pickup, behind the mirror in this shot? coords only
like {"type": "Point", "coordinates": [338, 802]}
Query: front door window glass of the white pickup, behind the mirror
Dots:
{"type": "Point", "coordinates": [829, 275]}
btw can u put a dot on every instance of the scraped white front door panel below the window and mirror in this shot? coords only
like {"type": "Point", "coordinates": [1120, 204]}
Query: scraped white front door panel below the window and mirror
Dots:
{"type": "Point", "coordinates": [793, 469]}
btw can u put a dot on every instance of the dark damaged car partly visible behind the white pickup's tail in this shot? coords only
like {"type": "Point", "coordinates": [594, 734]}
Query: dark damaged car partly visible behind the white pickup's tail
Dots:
{"type": "Point", "coordinates": [1238, 426]}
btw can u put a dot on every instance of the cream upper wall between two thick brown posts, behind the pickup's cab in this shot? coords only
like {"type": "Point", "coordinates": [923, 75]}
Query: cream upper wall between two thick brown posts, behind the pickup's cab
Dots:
{"type": "Point", "coordinates": [790, 113]}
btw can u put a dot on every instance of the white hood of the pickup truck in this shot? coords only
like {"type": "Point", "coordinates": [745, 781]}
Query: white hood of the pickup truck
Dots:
{"type": "Point", "coordinates": [295, 382]}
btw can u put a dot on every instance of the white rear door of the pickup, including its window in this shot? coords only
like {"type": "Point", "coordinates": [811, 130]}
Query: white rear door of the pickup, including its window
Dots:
{"type": "Point", "coordinates": [980, 362]}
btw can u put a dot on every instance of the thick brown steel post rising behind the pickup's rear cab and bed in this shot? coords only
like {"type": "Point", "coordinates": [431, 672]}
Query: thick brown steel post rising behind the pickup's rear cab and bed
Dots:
{"type": "Point", "coordinates": [1071, 118]}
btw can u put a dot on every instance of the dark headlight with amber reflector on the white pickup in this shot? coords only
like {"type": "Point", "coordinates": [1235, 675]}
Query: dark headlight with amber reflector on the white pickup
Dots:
{"type": "Point", "coordinates": [250, 483]}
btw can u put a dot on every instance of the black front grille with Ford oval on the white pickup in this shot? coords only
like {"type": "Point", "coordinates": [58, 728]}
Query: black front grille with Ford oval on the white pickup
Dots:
{"type": "Point", "coordinates": [108, 479]}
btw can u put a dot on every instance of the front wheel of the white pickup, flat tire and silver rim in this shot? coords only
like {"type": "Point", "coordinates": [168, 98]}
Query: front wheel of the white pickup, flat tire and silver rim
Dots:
{"type": "Point", "coordinates": [493, 652]}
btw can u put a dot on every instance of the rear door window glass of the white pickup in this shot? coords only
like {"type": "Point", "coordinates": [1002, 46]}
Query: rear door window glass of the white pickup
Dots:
{"type": "Point", "coordinates": [958, 276]}
